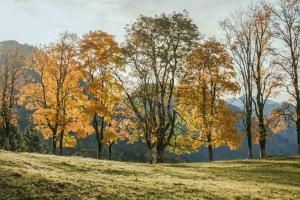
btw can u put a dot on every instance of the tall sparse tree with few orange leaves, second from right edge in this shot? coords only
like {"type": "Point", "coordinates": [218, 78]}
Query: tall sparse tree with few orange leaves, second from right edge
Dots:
{"type": "Point", "coordinates": [265, 75]}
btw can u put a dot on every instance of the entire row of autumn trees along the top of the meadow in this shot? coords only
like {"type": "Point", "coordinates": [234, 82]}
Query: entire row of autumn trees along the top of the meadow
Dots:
{"type": "Point", "coordinates": [164, 86]}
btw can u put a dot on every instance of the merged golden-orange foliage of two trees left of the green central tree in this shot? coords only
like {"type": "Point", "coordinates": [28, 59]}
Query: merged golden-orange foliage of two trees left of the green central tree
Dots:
{"type": "Point", "coordinates": [59, 98]}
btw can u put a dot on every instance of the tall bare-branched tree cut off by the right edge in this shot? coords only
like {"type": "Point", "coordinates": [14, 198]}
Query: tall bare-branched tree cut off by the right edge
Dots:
{"type": "Point", "coordinates": [286, 24]}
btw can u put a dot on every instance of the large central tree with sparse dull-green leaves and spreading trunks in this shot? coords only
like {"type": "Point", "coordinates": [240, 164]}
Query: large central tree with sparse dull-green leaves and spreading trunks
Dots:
{"type": "Point", "coordinates": [155, 50]}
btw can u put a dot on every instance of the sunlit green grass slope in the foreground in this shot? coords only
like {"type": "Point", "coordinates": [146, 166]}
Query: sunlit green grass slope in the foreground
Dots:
{"type": "Point", "coordinates": [35, 176]}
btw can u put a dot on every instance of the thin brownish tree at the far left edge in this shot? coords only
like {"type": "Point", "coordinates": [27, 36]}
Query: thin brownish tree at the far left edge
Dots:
{"type": "Point", "coordinates": [12, 67]}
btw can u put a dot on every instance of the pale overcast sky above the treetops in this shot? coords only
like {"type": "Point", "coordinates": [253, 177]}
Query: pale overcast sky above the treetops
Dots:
{"type": "Point", "coordinates": [40, 21]}
